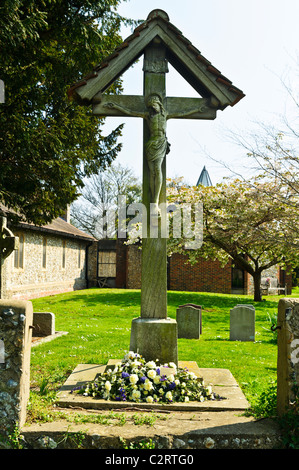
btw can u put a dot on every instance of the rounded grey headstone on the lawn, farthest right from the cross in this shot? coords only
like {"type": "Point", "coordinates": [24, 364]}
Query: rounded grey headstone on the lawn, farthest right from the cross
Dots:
{"type": "Point", "coordinates": [242, 323]}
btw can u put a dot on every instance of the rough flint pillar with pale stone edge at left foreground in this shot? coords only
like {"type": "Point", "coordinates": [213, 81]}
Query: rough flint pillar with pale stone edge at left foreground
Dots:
{"type": "Point", "coordinates": [15, 334]}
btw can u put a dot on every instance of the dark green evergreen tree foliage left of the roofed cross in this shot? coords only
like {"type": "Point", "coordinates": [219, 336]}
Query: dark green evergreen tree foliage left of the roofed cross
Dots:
{"type": "Point", "coordinates": [48, 144]}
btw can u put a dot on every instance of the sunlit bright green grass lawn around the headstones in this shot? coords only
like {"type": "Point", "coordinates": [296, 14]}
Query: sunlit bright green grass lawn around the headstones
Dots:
{"type": "Point", "coordinates": [98, 322]}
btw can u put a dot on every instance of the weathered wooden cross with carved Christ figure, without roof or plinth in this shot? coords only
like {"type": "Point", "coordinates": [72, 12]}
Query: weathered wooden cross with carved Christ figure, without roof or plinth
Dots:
{"type": "Point", "coordinates": [155, 108]}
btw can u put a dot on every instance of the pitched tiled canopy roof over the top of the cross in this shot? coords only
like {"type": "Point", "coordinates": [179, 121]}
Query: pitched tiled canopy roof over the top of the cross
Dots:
{"type": "Point", "coordinates": [206, 79]}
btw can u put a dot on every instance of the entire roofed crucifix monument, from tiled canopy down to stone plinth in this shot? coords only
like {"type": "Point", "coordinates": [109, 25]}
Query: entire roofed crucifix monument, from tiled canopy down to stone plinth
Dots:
{"type": "Point", "coordinates": [154, 334]}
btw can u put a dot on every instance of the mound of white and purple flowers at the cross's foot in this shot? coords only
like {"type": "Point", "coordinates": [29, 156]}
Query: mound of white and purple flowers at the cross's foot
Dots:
{"type": "Point", "coordinates": [134, 379]}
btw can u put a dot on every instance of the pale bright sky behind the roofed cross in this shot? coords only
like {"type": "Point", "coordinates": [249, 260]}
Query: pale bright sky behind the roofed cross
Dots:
{"type": "Point", "coordinates": [253, 43]}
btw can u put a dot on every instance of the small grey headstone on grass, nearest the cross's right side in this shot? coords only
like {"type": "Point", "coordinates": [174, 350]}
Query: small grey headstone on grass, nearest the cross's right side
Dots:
{"type": "Point", "coordinates": [189, 321]}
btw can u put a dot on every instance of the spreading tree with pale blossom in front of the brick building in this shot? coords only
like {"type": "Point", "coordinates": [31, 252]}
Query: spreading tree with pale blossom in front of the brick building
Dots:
{"type": "Point", "coordinates": [246, 222]}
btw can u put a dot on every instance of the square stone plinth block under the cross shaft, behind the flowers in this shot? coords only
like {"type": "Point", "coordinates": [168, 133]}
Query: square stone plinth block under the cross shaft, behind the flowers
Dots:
{"type": "Point", "coordinates": [155, 339]}
